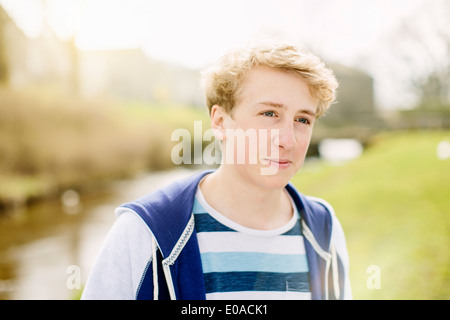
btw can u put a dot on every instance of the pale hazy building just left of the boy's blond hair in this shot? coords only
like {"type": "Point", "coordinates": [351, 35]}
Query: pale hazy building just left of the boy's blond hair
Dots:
{"type": "Point", "coordinates": [131, 75]}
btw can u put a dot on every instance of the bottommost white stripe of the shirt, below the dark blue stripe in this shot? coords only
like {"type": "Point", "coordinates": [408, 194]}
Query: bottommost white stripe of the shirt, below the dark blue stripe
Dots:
{"type": "Point", "coordinates": [259, 295]}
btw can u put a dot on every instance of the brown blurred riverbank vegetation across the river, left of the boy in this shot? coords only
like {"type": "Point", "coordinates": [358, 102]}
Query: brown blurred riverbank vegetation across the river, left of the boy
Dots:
{"type": "Point", "coordinates": [51, 142]}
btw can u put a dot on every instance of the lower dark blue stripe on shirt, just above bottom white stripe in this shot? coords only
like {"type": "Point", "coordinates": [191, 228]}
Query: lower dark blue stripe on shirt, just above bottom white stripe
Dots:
{"type": "Point", "coordinates": [256, 281]}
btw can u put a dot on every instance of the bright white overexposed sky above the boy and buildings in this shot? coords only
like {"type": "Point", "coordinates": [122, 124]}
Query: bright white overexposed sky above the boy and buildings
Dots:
{"type": "Point", "coordinates": [195, 33]}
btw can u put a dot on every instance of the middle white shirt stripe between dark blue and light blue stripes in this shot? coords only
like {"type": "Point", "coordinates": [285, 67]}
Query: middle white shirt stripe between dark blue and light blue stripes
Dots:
{"type": "Point", "coordinates": [240, 242]}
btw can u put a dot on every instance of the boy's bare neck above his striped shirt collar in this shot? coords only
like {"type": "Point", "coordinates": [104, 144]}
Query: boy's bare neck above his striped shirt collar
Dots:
{"type": "Point", "coordinates": [246, 203]}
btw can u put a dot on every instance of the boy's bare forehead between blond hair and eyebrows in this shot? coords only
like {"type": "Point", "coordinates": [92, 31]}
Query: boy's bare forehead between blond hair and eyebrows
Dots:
{"type": "Point", "coordinates": [275, 85]}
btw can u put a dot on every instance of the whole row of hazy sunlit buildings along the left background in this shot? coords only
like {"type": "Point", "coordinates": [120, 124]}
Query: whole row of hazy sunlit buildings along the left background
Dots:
{"type": "Point", "coordinates": [123, 74]}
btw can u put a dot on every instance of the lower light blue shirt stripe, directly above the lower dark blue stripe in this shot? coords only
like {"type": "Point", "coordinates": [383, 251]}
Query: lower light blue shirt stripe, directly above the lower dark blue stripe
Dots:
{"type": "Point", "coordinates": [253, 261]}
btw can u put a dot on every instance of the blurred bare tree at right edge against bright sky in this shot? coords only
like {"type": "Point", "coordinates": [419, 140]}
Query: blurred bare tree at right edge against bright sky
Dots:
{"type": "Point", "coordinates": [421, 45]}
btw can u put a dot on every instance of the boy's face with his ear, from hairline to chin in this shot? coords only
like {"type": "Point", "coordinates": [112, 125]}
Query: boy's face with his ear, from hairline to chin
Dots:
{"type": "Point", "coordinates": [277, 108]}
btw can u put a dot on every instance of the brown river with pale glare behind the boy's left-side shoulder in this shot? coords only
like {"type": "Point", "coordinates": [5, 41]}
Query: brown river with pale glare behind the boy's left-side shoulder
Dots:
{"type": "Point", "coordinates": [47, 250]}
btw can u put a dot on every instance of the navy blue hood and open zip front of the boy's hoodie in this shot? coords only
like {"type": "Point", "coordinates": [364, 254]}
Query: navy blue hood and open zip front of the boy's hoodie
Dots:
{"type": "Point", "coordinates": [174, 270]}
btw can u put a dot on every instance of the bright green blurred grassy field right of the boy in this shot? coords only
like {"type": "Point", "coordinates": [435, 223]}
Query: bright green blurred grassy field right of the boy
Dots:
{"type": "Point", "coordinates": [394, 205]}
